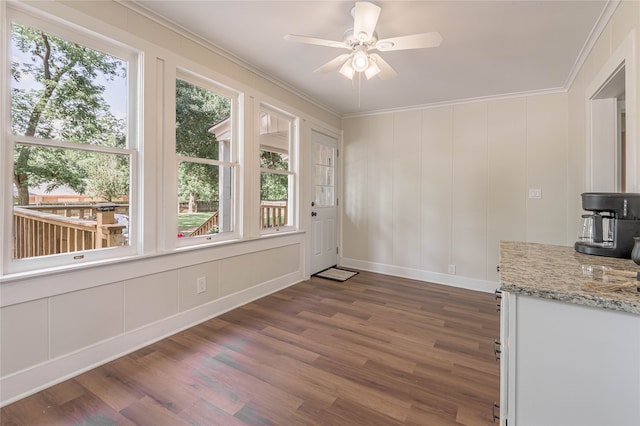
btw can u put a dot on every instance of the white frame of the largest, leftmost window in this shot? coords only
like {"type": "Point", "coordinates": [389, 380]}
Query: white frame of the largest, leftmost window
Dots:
{"type": "Point", "coordinates": [87, 38]}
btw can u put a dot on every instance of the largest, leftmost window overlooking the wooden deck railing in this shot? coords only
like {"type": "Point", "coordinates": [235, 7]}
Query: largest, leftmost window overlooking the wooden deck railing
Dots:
{"type": "Point", "coordinates": [74, 156]}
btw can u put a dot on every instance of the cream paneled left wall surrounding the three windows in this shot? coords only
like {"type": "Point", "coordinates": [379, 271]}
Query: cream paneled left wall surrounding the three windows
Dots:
{"type": "Point", "coordinates": [55, 324]}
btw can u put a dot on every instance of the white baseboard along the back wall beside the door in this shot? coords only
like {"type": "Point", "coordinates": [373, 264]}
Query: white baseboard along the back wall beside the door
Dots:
{"type": "Point", "coordinates": [420, 275]}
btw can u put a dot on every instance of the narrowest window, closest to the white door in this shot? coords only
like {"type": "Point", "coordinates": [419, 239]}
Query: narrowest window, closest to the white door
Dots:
{"type": "Point", "coordinates": [277, 175]}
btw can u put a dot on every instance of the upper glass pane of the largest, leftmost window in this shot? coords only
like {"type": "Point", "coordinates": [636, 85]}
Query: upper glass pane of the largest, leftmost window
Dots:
{"type": "Point", "coordinates": [62, 90]}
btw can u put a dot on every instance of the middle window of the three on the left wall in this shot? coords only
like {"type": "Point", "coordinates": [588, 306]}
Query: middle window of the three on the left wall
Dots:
{"type": "Point", "coordinates": [206, 160]}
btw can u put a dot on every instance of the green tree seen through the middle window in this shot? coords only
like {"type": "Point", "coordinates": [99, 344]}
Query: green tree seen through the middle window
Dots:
{"type": "Point", "coordinates": [197, 109]}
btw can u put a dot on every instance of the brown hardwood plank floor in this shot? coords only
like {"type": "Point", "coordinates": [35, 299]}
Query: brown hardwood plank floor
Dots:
{"type": "Point", "coordinates": [374, 350]}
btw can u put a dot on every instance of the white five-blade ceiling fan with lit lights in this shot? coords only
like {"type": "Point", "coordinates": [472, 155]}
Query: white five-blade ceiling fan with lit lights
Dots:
{"type": "Point", "coordinates": [361, 40]}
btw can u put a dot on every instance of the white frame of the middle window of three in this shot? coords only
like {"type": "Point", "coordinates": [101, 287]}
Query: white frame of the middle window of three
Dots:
{"type": "Point", "coordinates": [206, 83]}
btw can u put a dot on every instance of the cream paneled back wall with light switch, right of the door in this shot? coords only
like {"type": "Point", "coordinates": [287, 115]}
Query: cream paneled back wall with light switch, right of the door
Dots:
{"type": "Point", "coordinates": [429, 188]}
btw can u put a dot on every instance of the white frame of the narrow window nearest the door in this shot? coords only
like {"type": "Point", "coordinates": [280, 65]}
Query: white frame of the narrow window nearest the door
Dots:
{"type": "Point", "coordinates": [293, 172]}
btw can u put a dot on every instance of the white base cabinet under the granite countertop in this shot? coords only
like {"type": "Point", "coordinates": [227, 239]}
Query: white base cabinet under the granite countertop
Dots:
{"type": "Point", "coordinates": [568, 364]}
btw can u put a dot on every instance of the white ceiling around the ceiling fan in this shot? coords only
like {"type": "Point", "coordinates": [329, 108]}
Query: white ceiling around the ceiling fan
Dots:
{"type": "Point", "coordinates": [490, 48]}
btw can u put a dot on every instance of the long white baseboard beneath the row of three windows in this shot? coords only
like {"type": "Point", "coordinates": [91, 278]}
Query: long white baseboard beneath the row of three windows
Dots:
{"type": "Point", "coordinates": [36, 378]}
